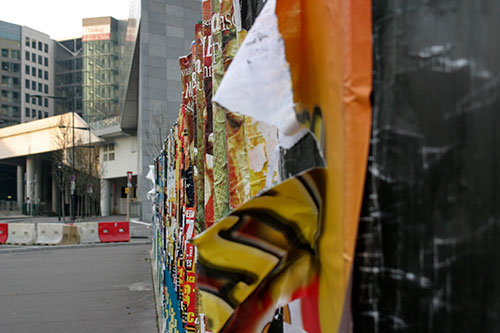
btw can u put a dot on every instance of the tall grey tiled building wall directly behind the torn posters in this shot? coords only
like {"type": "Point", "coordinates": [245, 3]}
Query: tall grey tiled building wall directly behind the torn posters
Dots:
{"type": "Point", "coordinates": [166, 33]}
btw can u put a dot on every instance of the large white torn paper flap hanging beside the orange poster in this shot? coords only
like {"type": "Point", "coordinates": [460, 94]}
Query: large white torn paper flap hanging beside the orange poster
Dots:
{"type": "Point", "coordinates": [258, 82]}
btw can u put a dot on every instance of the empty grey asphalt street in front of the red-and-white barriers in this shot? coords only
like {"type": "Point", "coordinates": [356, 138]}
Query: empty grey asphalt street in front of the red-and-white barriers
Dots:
{"type": "Point", "coordinates": [96, 289]}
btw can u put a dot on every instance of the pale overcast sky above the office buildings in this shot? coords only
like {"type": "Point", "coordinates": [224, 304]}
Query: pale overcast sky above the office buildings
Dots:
{"type": "Point", "coordinates": [60, 19]}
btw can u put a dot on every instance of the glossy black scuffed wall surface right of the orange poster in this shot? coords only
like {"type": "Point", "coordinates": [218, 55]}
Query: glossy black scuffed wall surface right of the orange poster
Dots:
{"type": "Point", "coordinates": [428, 249]}
